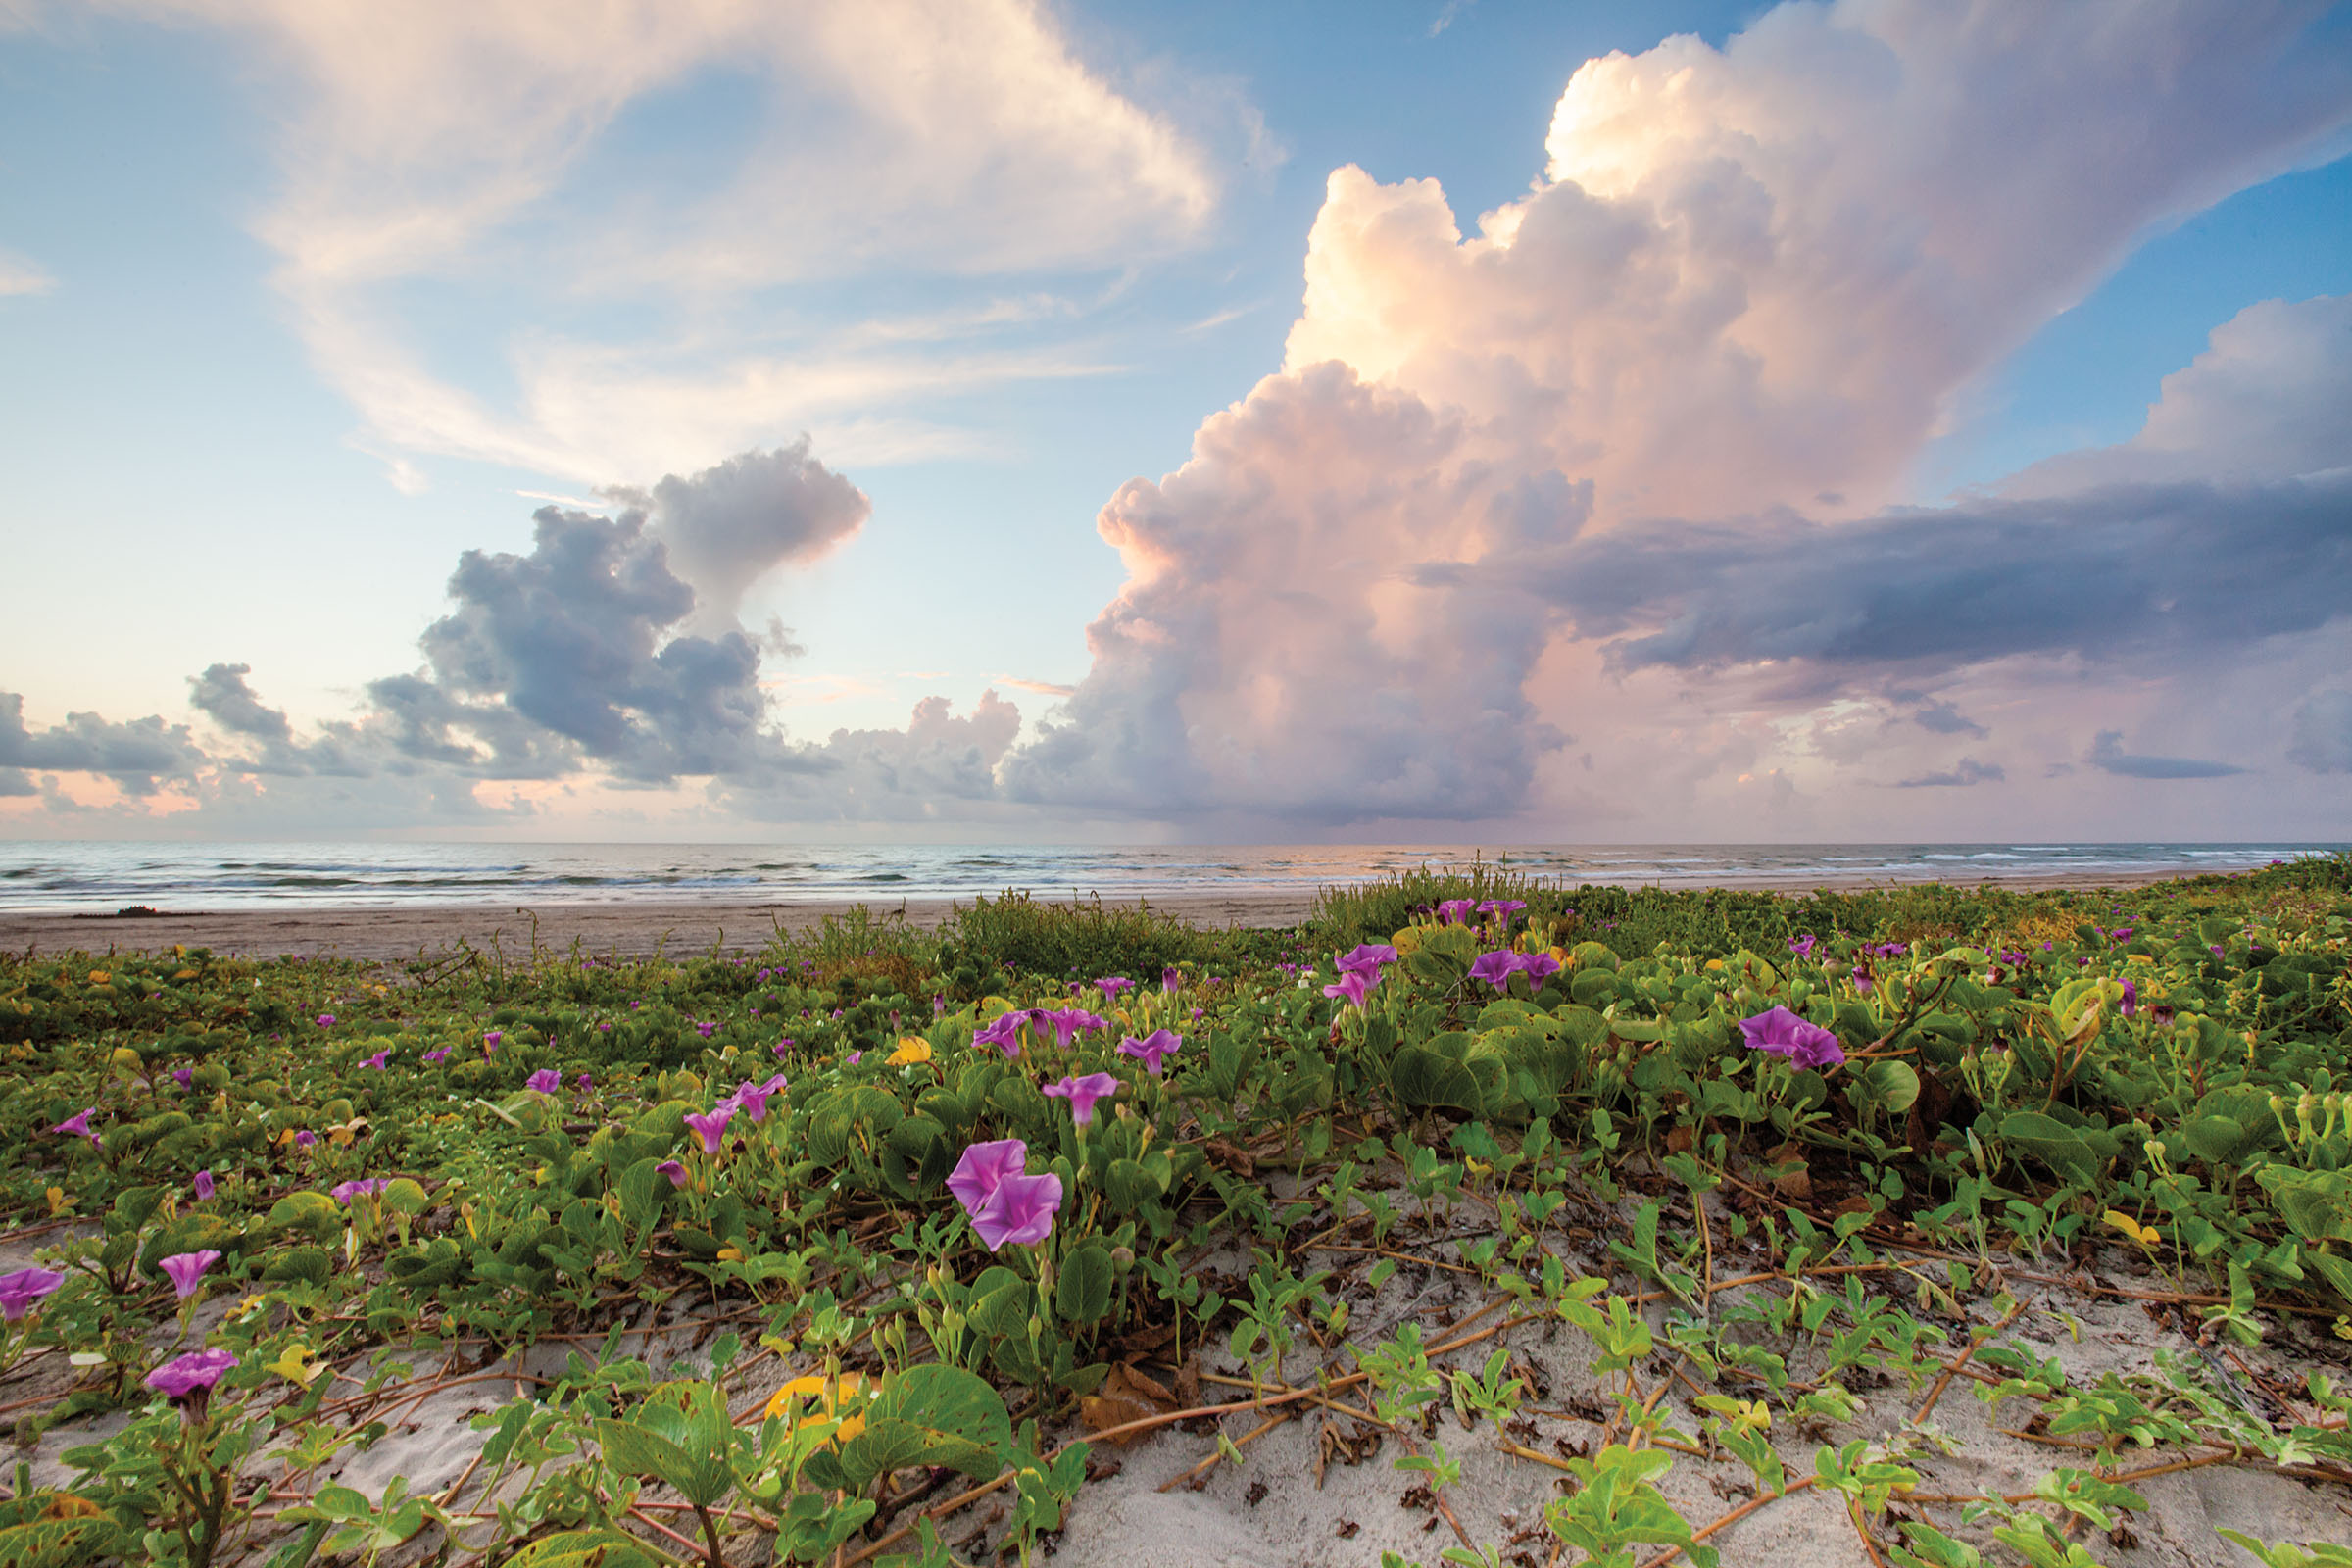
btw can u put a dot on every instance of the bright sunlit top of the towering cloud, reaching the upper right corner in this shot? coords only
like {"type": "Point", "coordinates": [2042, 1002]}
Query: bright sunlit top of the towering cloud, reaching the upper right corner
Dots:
{"type": "Point", "coordinates": [1760, 274]}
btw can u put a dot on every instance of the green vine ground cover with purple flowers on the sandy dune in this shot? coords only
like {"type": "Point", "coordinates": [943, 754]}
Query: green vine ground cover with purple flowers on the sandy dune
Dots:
{"type": "Point", "coordinates": [1765, 1155]}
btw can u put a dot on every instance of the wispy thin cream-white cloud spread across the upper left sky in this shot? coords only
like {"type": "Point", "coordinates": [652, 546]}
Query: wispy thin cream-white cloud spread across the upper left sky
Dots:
{"type": "Point", "coordinates": [497, 142]}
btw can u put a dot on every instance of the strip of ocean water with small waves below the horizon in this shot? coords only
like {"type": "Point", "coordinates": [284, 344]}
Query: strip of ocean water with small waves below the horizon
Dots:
{"type": "Point", "coordinates": [100, 876]}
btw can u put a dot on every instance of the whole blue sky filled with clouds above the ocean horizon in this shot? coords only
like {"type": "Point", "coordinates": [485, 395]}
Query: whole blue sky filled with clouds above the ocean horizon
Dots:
{"type": "Point", "coordinates": [1339, 422]}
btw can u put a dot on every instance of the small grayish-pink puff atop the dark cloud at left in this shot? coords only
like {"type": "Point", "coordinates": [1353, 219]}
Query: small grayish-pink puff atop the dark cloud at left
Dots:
{"type": "Point", "coordinates": [740, 521]}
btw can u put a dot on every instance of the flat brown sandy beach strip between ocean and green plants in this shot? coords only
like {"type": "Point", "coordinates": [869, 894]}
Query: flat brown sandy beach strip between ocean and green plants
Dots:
{"type": "Point", "coordinates": [636, 930]}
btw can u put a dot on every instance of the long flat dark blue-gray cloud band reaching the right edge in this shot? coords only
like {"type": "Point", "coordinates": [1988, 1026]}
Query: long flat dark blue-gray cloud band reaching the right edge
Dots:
{"type": "Point", "coordinates": [2132, 572]}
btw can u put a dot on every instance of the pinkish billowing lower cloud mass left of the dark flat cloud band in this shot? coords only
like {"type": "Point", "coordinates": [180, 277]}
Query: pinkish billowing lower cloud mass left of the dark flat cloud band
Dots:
{"type": "Point", "coordinates": [1295, 638]}
